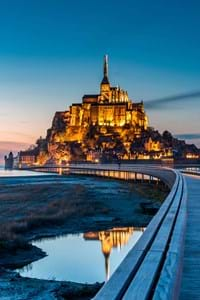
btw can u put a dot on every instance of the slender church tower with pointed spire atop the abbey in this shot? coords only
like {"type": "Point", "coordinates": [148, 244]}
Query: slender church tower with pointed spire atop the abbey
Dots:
{"type": "Point", "coordinates": [105, 84]}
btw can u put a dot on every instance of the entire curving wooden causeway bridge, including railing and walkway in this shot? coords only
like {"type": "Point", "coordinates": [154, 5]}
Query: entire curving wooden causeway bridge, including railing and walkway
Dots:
{"type": "Point", "coordinates": [165, 262]}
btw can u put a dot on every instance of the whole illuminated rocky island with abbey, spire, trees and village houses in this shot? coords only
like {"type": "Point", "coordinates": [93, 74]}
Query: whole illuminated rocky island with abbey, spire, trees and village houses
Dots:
{"type": "Point", "coordinates": [105, 126]}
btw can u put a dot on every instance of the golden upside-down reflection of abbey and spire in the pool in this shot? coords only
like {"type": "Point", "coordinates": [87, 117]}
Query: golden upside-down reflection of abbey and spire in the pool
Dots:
{"type": "Point", "coordinates": [114, 238]}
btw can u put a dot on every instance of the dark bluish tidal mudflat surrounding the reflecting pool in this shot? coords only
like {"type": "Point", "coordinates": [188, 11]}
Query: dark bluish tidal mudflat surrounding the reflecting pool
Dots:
{"type": "Point", "coordinates": [46, 206]}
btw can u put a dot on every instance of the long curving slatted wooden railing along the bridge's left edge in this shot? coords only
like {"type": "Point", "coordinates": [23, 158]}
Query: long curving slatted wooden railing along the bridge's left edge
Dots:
{"type": "Point", "coordinates": [152, 268]}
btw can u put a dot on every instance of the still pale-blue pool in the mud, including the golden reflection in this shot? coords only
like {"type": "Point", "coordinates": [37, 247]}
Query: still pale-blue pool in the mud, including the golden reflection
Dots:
{"type": "Point", "coordinates": [96, 262]}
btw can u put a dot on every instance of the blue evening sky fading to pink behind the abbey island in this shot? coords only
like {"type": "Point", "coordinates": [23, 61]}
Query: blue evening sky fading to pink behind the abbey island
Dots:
{"type": "Point", "coordinates": [51, 53]}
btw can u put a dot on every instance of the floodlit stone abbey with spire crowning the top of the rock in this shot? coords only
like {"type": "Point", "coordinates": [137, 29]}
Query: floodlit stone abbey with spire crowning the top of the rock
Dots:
{"type": "Point", "coordinates": [111, 107]}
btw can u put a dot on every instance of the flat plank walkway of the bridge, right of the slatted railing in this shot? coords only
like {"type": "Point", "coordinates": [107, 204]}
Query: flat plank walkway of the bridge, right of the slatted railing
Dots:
{"type": "Point", "coordinates": [190, 287]}
